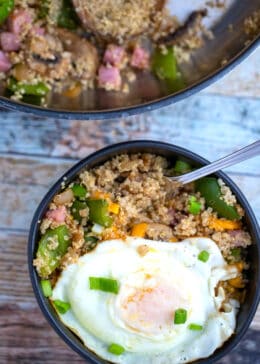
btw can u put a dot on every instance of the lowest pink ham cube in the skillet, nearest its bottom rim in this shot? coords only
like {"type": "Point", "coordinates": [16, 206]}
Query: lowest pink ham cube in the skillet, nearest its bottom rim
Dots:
{"type": "Point", "coordinates": [109, 78]}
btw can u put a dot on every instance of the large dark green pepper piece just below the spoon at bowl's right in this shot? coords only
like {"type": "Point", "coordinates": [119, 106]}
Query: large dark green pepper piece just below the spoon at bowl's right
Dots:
{"type": "Point", "coordinates": [210, 190]}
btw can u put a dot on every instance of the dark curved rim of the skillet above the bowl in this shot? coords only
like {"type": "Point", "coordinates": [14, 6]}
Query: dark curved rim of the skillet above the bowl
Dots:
{"type": "Point", "coordinates": [135, 109]}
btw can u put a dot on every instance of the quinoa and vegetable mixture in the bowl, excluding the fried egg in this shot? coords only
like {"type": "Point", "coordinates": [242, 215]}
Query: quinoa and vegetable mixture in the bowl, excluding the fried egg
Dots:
{"type": "Point", "coordinates": [130, 195]}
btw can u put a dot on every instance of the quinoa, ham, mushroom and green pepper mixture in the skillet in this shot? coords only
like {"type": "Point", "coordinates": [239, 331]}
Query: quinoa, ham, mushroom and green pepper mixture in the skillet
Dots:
{"type": "Point", "coordinates": [68, 46]}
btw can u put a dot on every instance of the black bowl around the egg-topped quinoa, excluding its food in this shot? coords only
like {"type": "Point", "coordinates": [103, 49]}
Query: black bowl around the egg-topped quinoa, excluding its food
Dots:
{"type": "Point", "coordinates": [169, 151]}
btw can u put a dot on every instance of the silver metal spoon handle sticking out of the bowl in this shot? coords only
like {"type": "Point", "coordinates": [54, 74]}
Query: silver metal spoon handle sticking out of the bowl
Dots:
{"type": "Point", "coordinates": [240, 155]}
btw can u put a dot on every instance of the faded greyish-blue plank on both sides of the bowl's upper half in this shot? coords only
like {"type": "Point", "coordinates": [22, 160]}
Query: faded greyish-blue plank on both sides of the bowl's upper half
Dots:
{"type": "Point", "coordinates": [24, 181]}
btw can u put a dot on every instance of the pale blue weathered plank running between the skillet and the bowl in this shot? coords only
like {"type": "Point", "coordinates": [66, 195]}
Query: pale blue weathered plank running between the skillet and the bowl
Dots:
{"type": "Point", "coordinates": [207, 124]}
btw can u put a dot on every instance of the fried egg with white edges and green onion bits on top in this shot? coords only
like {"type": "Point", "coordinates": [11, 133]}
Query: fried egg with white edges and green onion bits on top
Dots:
{"type": "Point", "coordinates": [156, 280]}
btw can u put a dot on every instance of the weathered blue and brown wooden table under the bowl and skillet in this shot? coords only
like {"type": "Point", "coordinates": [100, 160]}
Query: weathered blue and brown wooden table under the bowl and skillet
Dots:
{"type": "Point", "coordinates": [34, 152]}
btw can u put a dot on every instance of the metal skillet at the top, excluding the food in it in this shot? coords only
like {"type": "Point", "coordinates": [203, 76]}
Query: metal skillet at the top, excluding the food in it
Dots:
{"type": "Point", "coordinates": [230, 45]}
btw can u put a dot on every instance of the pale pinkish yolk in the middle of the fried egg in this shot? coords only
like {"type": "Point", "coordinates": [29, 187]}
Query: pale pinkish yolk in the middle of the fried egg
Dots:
{"type": "Point", "coordinates": [150, 309]}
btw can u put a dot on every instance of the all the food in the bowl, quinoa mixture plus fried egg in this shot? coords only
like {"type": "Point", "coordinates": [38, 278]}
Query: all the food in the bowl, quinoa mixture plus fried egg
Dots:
{"type": "Point", "coordinates": [141, 272]}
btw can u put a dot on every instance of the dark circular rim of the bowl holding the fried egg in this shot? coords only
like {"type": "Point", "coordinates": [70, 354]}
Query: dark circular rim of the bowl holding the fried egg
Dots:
{"type": "Point", "coordinates": [118, 148]}
